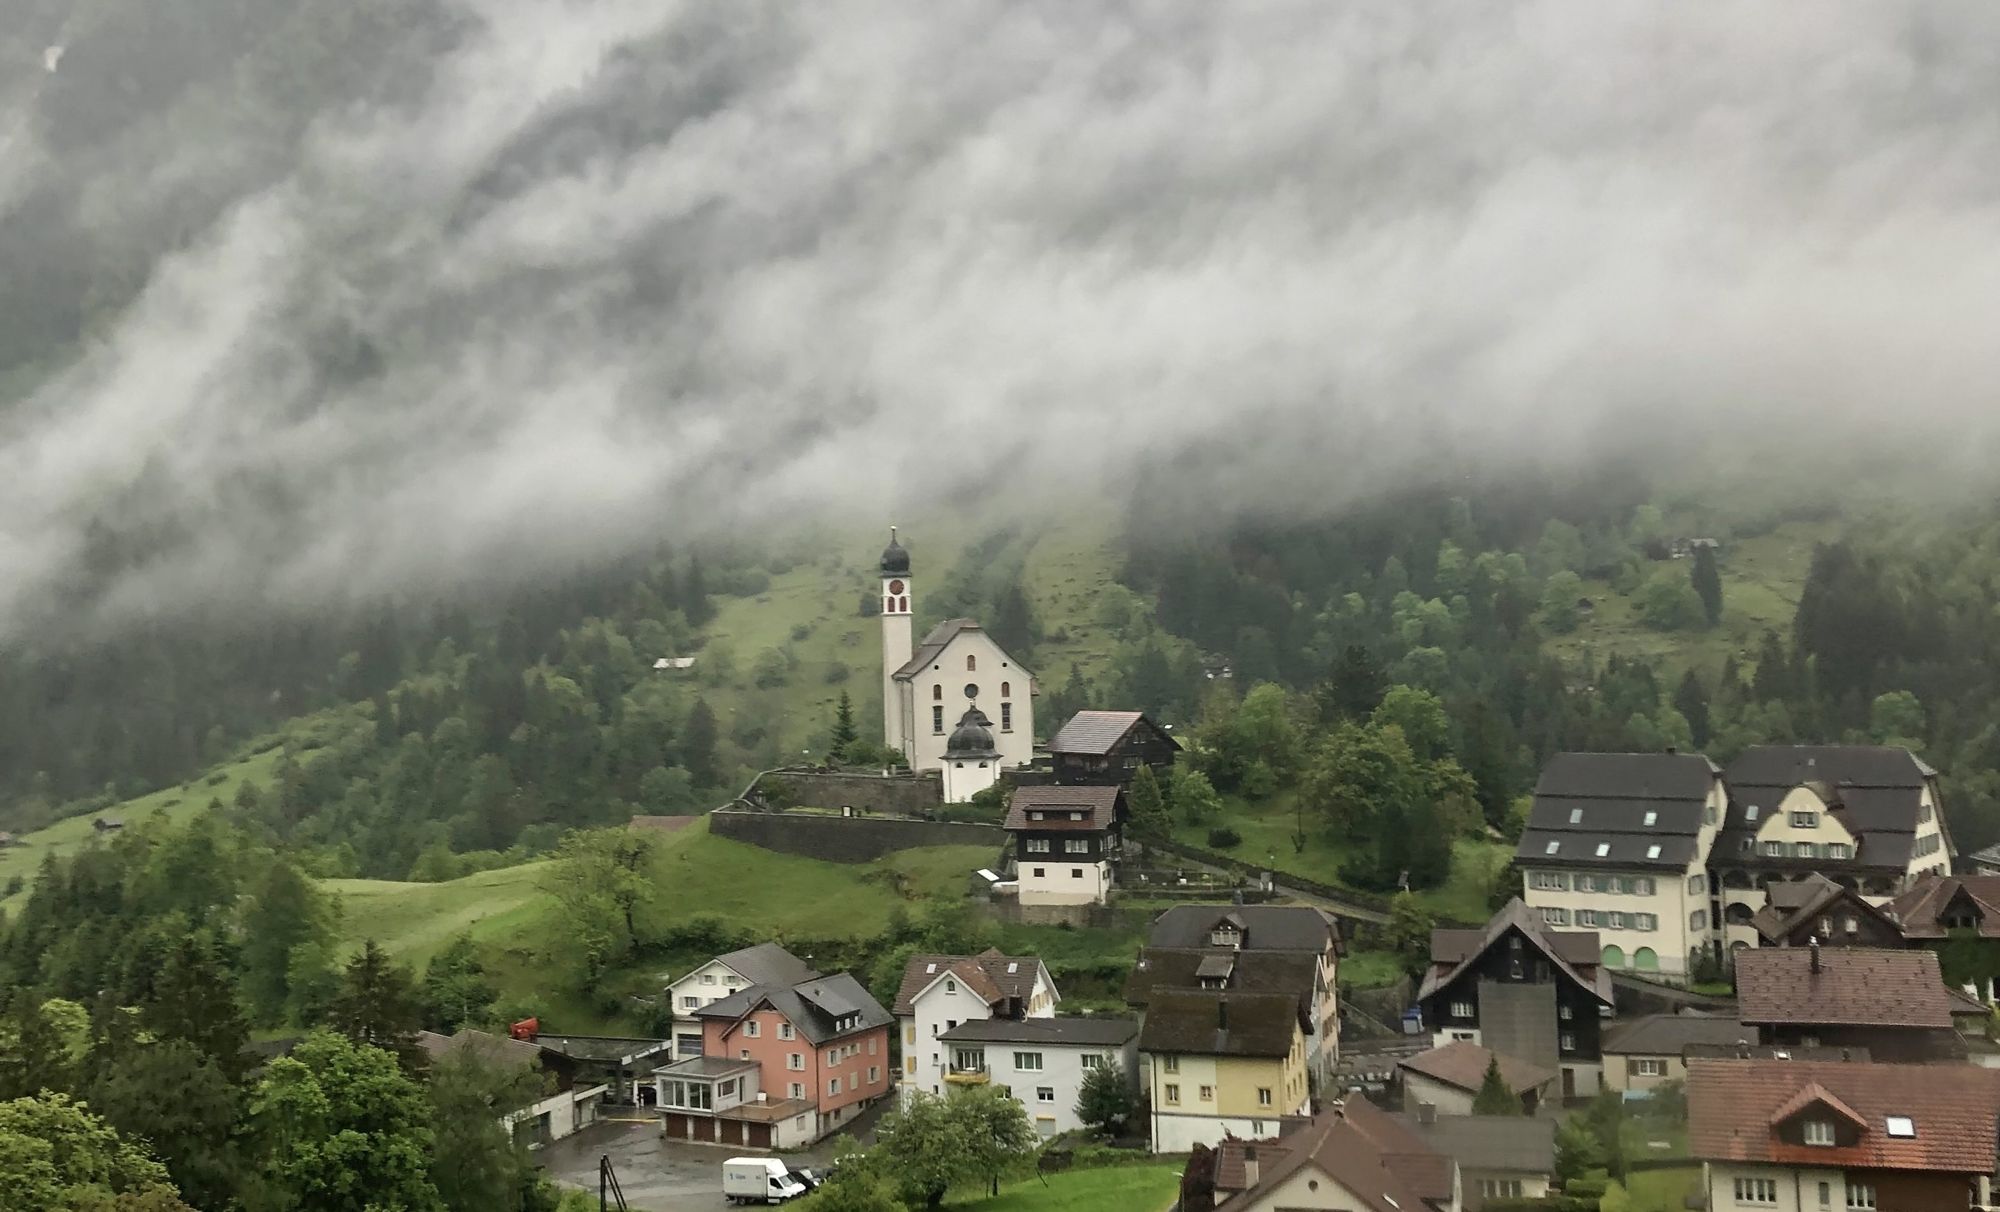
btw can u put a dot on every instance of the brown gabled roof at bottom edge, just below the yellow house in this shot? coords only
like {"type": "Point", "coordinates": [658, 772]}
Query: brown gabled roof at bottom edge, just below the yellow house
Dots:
{"type": "Point", "coordinates": [1367, 1151]}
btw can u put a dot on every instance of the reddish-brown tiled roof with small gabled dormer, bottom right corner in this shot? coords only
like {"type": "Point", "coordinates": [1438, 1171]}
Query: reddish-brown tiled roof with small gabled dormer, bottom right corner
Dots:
{"type": "Point", "coordinates": [1733, 1107]}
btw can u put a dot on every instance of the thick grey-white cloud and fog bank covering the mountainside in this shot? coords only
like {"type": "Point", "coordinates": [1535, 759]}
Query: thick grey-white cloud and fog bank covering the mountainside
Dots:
{"type": "Point", "coordinates": [633, 271]}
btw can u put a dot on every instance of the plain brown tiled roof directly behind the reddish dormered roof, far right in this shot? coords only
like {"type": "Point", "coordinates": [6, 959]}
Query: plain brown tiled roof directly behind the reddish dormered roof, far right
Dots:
{"type": "Point", "coordinates": [1855, 987]}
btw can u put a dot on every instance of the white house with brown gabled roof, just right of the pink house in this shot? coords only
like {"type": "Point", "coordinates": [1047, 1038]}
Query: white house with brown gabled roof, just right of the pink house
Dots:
{"type": "Point", "coordinates": [941, 993]}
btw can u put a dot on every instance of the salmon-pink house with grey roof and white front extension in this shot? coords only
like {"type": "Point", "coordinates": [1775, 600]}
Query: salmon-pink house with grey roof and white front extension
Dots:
{"type": "Point", "coordinates": [781, 1065]}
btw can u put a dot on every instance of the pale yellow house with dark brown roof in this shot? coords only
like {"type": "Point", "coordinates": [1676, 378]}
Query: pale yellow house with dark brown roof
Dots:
{"type": "Point", "coordinates": [1225, 1065]}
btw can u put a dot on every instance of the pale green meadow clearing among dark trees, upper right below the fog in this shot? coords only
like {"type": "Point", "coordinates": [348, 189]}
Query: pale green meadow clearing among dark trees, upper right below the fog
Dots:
{"type": "Point", "coordinates": [1761, 583]}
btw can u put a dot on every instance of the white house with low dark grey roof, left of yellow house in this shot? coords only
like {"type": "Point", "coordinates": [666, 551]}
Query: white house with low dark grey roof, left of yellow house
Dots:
{"type": "Point", "coordinates": [1043, 1061]}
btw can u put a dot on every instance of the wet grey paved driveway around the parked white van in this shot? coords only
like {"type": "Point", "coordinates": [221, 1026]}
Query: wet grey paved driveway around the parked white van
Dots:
{"type": "Point", "coordinates": [661, 1175]}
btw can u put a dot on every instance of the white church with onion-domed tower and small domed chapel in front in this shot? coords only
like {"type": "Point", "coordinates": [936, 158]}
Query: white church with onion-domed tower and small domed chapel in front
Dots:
{"type": "Point", "coordinates": [957, 703]}
